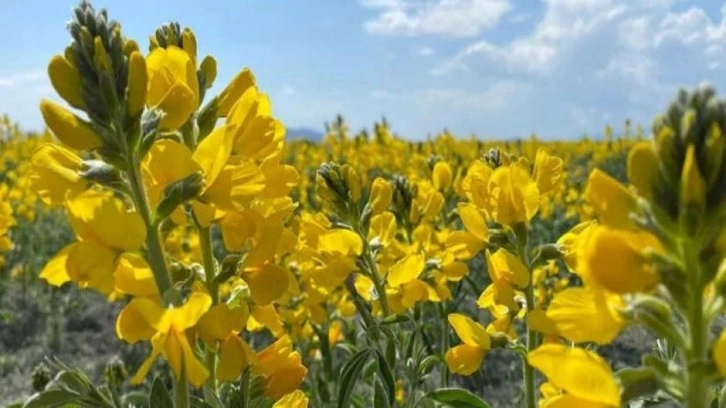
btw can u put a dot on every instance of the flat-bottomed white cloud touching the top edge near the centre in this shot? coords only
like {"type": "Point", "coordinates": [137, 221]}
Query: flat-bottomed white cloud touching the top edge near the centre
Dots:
{"type": "Point", "coordinates": [461, 18]}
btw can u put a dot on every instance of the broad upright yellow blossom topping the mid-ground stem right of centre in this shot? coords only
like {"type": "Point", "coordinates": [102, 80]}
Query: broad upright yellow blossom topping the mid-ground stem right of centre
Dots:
{"type": "Point", "coordinates": [514, 195]}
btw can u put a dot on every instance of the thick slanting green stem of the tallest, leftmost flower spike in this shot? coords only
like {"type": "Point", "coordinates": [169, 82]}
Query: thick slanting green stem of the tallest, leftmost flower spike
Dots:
{"type": "Point", "coordinates": [155, 251]}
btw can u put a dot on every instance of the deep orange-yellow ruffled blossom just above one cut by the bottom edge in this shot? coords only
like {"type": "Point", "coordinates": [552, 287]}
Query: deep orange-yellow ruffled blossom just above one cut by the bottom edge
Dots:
{"type": "Point", "coordinates": [282, 368]}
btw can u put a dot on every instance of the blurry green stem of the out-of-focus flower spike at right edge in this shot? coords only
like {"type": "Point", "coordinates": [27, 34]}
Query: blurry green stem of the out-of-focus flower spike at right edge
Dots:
{"type": "Point", "coordinates": [696, 356]}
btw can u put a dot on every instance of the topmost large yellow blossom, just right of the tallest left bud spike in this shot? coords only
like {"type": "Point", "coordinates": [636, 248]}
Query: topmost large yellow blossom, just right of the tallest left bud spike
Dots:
{"type": "Point", "coordinates": [173, 86]}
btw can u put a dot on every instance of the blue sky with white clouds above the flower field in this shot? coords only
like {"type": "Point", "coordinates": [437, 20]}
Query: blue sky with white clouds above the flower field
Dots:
{"type": "Point", "coordinates": [496, 68]}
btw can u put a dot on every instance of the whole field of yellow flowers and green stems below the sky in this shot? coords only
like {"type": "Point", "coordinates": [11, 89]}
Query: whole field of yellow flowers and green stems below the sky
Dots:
{"type": "Point", "coordinates": [164, 247]}
